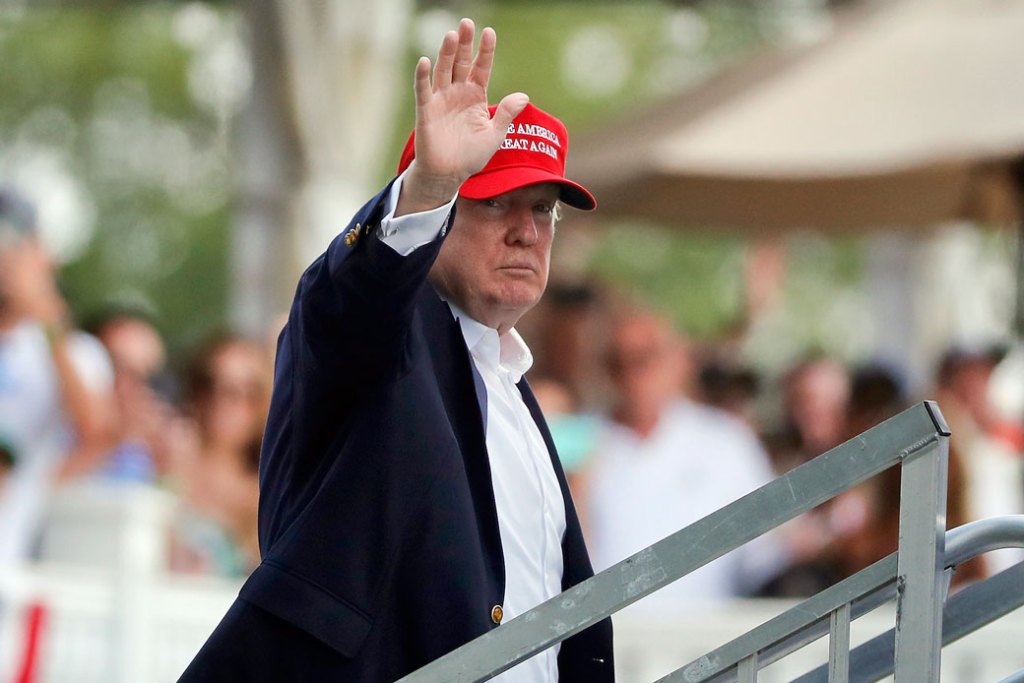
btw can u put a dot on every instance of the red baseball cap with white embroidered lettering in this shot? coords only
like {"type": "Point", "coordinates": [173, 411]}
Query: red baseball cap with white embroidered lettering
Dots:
{"type": "Point", "coordinates": [533, 152]}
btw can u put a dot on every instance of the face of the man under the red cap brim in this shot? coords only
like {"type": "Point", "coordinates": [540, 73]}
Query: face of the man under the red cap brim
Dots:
{"type": "Point", "coordinates": [495, 264]}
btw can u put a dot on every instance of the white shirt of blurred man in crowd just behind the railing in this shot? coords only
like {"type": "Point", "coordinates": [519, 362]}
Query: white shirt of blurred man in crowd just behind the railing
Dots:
{"type": "Point", "coordinates": [641, 491]}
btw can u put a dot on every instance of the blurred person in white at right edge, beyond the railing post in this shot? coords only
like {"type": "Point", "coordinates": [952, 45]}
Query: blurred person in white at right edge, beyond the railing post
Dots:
{"type": "Point", "coordinates": [994, 465]}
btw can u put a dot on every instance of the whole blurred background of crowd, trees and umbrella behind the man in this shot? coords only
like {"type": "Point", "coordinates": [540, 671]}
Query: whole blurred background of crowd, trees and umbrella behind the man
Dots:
{"type": "Point", "coordinates": [809, 219]}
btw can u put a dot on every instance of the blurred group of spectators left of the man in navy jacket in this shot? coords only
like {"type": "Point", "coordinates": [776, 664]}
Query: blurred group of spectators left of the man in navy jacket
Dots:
{"type": "Point", "coordinates": [102, 403]}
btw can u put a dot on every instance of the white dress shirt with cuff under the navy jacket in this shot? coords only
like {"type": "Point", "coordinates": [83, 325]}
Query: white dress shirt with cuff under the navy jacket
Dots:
{"type": "Point", "coordinates": [529, 500]}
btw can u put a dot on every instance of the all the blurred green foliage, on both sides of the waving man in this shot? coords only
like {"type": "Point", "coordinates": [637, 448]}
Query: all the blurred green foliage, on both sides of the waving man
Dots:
{"type": "Point", "coordinates": [124, 112]}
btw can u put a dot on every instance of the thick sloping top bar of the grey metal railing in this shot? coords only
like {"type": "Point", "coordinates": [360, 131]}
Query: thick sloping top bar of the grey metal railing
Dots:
{"type": "Point", "coordinates": [687, 550]}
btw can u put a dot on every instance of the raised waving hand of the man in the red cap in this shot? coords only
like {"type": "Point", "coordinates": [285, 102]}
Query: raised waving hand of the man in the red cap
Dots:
{"type": "Point", "coordinates": [455, 135]}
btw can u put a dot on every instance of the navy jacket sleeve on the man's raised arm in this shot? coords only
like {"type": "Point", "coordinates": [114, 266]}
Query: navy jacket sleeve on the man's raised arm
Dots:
{"type": "Point", "coordinates": [347, 336]}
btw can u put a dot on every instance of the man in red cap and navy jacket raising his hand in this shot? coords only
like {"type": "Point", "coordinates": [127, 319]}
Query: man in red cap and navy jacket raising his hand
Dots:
{"type": "Point", "coordinates": [411, 498]}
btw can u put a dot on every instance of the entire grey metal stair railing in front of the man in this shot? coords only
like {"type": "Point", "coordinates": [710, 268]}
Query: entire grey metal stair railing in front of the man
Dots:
{"type": "Point", "coordinates": [917, 441]}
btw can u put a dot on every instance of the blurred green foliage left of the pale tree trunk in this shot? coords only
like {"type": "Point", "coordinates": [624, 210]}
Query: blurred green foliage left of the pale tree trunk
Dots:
{"type": "Point", "coordinates": [99, 102]}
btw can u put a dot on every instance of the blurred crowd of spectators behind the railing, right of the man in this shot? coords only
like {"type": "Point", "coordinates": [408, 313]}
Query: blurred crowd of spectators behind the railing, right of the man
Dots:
{"type": "Point", "coordinates": [657, 431]}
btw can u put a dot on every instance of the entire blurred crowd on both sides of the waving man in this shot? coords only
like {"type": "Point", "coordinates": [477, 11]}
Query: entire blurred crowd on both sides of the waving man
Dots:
{"type": "Point", "coordinates": [655, 431]}
